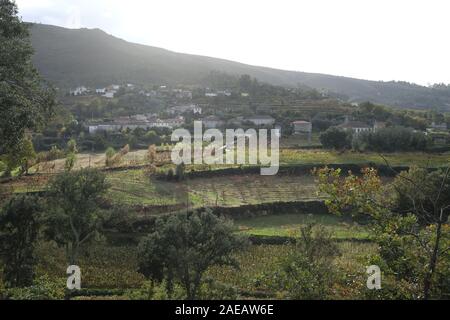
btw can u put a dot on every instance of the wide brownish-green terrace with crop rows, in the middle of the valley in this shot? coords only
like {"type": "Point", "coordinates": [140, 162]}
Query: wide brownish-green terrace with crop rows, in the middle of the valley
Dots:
{"type": "Point", "coordinates": [135, 187]}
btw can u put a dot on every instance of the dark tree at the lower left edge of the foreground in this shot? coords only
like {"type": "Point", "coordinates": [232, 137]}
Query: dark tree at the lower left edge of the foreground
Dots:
{"type": "Point", "coordinates": [19, 229]}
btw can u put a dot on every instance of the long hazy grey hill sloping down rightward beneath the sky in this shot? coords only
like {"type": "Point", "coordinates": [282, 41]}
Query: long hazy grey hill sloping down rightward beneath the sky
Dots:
{"type": "Point", "coordinates": [72, 57]}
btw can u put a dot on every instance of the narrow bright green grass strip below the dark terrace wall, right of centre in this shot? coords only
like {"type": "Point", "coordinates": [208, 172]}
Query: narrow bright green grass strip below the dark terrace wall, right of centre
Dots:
{"type": "Point", "coordinates": [287, 225]}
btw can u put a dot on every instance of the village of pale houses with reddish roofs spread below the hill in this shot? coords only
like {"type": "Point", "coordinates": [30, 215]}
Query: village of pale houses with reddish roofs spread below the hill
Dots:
{"type": "Point", "coordinates": [183, 106]}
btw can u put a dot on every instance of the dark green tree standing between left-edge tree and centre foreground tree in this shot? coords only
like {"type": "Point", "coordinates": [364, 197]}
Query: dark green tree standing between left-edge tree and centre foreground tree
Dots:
{"type": "Point", "coordinates": [75, 217]}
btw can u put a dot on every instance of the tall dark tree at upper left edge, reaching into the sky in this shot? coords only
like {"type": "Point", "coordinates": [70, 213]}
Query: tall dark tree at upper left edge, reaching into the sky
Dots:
{"type": "Point", "coordinates": [25, 103]}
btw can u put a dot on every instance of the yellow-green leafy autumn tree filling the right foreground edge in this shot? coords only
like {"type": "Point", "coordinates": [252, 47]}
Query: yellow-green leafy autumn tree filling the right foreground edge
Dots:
{"type": "Point", "coordinates": [409, 221]}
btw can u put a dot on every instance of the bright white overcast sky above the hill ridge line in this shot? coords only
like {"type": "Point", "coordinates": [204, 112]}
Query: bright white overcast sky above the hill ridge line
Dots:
{"type": "Point", "coordinates": [405, 40]}
